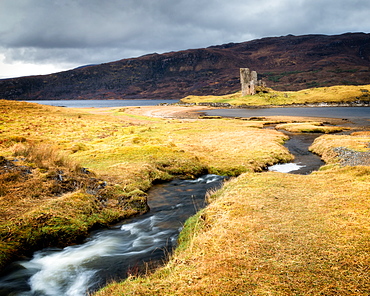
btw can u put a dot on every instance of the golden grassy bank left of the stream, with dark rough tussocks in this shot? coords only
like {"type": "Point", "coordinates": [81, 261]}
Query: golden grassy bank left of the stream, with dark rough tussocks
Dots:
{"type": "Point", "coordinates": [65, 171]}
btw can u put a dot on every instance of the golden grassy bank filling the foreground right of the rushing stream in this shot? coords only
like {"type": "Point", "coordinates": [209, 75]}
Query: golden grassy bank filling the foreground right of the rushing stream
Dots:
{"type": "Point", "coordinates": [272, 234]}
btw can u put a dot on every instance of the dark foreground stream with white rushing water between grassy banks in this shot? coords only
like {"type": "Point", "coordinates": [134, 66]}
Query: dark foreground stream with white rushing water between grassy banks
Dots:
{"type": "Point", "coordinates": [113, 253]}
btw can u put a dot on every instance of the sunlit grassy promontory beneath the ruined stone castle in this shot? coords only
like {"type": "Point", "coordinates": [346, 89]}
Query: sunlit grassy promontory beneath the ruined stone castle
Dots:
{"type": "Point", "coordinates": [333, 94]}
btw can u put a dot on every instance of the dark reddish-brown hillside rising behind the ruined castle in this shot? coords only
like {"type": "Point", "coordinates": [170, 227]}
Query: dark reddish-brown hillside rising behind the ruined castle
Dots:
{"type": "Point", "coordinates": [285, 63]}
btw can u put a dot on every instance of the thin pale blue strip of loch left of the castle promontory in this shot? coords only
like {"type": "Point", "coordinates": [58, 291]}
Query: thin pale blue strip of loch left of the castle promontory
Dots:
{"type": "Point", "coordinates": [101, 103]}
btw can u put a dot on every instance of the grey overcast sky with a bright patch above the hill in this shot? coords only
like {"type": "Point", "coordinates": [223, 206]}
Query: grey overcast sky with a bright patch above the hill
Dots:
{"type": "Point", "coordinates": [45, 36]}
